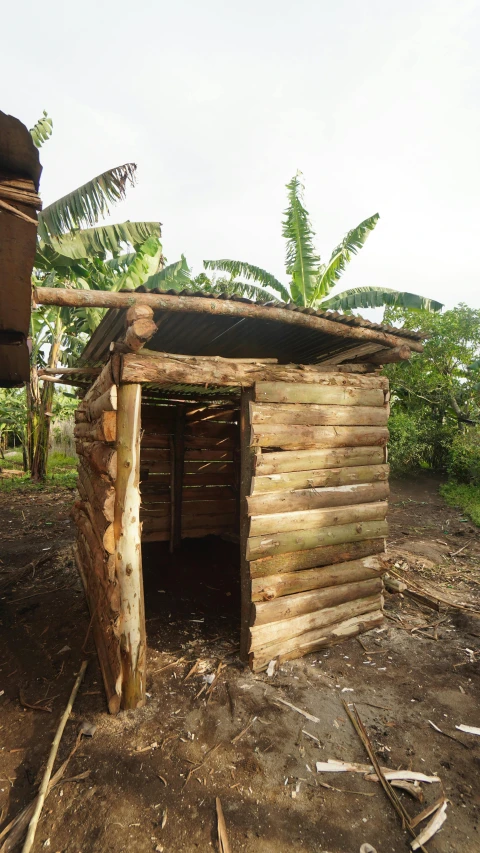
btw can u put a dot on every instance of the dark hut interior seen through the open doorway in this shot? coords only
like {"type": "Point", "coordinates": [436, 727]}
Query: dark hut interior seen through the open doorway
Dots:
{"type": "Point", "coordinates": [189, 485]}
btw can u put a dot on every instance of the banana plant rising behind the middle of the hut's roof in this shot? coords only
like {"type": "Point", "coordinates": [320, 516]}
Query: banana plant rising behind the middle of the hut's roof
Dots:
{"type": "Point", "coordinates": [311, 280]}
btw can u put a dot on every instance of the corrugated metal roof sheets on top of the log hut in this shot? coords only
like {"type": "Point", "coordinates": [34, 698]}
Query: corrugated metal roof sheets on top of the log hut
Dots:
{"type": "Point", "coordinates": [233, 337]}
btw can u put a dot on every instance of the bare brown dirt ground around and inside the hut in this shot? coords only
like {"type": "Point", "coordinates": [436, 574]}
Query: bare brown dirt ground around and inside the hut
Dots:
{"type": "Point", "coordinates": [153, 775]}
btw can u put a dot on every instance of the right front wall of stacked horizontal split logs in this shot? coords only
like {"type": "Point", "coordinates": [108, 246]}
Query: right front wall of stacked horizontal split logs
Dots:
{"type": "Point", "coordinates": [313, 508]}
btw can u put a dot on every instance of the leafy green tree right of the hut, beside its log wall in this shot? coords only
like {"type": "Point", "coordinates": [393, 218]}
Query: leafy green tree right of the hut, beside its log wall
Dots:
{"type": "Point", "coordinates": [436, 395]}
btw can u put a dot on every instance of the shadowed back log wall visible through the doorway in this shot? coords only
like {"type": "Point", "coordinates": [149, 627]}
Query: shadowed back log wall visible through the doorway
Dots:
{"type": "Point", "coordinates": [189, 471]}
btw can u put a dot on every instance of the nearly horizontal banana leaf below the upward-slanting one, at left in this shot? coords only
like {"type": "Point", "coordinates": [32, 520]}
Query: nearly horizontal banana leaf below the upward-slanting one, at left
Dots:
{"type": "Point", "coordinates": [91, 242]}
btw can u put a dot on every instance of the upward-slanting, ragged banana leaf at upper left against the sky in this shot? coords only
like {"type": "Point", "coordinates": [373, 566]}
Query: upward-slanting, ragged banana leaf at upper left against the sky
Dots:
{"type": "Point", "coordinates": [87, 204]}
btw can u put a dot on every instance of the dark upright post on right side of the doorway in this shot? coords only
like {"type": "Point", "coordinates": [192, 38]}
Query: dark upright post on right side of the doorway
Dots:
{"type": "Point", "coordinates": [247, 462]}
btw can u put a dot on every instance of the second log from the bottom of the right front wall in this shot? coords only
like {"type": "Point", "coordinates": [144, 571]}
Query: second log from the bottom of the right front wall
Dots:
{"type": "Point", "coordinates": [275, 632]}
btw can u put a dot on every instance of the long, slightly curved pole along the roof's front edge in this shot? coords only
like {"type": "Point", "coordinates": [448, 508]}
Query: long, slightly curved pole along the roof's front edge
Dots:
{"type": "Point", "coordinates": [74, 297]}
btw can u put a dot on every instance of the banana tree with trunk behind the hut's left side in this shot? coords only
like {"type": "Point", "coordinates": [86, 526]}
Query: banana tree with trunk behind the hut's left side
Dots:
{"type": "Point", "coordinates": [74, 251]}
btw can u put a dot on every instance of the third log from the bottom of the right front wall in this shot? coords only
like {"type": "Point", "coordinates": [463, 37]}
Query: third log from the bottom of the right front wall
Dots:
{"type": "Point", "coordinates": [297, 604]}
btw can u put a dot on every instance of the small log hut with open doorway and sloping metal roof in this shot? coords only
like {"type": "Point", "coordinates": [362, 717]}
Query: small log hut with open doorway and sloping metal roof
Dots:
{"type": "Point", "coordinates": [262, 423]}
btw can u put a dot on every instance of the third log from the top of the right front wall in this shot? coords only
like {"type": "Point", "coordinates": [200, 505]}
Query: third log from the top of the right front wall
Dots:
{"type": "Point", "coordinates": [281, 435]}
